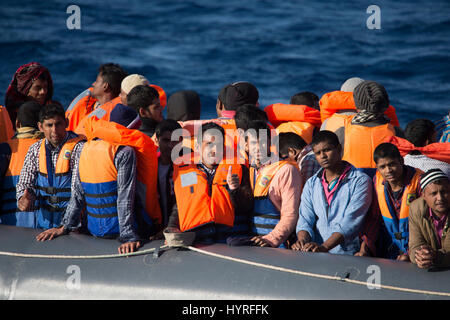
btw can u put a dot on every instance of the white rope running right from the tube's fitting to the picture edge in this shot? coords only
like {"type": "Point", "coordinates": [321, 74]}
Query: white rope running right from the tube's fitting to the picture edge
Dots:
{"type": "Point", "coordinates": [316, 275]}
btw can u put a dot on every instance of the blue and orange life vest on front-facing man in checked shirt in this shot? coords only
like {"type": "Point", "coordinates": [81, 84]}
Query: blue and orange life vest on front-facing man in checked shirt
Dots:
{"type": "Point", "coordinates": [53, 186]}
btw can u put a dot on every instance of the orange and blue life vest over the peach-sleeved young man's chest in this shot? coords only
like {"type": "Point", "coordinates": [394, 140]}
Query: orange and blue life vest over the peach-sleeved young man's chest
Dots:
{"type": "Point", "coordinates": [265, 215]}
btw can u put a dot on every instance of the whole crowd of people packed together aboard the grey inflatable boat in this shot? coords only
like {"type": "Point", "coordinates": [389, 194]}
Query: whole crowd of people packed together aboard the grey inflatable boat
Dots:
{"type": "Point", "coordinates": [334, 174]}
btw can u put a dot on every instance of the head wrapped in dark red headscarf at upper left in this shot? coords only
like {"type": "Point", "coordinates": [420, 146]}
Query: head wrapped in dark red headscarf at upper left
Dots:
{"type": "Point", "coordinates": [31, 82]}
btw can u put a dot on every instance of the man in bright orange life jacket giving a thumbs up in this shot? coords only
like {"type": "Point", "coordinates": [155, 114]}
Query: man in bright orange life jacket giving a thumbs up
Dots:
{"type": "Point", "coordinates": [213, 196]}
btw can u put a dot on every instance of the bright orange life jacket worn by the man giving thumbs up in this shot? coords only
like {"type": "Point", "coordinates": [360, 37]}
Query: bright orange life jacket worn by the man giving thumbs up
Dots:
{"type": "Point", "coordinates": [196, 205]}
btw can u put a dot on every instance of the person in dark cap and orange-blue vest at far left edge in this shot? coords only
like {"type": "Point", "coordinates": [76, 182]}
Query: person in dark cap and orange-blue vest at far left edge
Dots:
{"type": "Point", "coordinates": [12, 156]}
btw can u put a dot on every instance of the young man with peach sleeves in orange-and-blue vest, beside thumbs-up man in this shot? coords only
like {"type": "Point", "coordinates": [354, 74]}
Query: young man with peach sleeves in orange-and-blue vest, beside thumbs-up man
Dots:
{"type": "Point", "coordinates": [275, 184]}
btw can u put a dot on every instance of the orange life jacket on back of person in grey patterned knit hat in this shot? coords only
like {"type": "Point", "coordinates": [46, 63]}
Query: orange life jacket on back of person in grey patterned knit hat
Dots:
{"type": "Point", "coordinates": [361, 141]}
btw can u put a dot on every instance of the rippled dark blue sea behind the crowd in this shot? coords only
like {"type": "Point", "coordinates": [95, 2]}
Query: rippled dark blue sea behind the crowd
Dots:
{"type": "Point", "coordinates": [283, 47]}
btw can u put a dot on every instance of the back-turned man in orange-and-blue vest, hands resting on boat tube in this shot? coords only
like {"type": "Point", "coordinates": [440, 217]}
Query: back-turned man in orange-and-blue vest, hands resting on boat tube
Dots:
{"type": "Point", "coordinates": [105, 185]}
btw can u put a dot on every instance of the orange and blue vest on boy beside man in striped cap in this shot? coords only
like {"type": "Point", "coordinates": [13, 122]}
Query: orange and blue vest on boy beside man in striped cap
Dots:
{"type": "Point", "coordinates": [397, 227]}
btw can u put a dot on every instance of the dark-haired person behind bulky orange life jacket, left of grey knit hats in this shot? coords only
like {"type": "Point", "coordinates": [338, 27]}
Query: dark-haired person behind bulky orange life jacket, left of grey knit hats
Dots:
{"type": "Point", "coordinates": [301, 116]}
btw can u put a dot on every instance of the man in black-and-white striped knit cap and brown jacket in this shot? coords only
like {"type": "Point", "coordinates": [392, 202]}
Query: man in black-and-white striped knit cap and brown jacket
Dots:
{"type": "Point", "coordinates": [429, 238]}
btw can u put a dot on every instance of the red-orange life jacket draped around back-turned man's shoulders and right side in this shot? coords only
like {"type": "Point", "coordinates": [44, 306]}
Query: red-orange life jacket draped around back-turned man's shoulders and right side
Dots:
{"type": "Point", "coordinates": [146, 154]}
